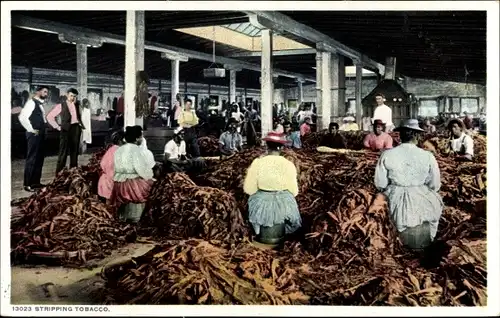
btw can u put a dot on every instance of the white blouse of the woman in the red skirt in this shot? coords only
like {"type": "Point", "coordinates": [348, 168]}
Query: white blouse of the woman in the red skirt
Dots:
{"type": "Point", "coordinates": [131, 162]}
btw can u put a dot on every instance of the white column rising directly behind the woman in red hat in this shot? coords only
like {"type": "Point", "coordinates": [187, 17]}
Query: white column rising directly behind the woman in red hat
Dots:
{"type": "Point", "coordinates": [266, 85]}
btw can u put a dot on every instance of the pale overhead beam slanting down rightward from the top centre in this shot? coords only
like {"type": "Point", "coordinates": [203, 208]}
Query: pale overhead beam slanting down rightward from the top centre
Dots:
{"type": "Point", "coordinates": [284, 24]}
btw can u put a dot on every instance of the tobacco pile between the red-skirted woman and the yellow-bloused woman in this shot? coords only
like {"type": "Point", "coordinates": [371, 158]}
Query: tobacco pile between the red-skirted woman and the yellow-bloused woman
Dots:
{"type": "Point", "coordinates": [178, 209]}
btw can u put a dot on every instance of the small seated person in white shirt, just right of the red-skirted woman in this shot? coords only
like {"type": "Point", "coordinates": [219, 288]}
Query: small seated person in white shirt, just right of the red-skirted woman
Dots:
{"type": "Point", "coordinates": [176, 158]}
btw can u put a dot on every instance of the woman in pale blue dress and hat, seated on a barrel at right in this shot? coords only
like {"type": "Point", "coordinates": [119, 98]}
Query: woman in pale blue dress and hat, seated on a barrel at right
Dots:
{"type": "Point", "coordinates": [410, 178]}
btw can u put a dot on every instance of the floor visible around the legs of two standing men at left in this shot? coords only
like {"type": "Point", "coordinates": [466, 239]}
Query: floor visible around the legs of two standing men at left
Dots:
{"type": "Point", "coordinates": [48, 173]}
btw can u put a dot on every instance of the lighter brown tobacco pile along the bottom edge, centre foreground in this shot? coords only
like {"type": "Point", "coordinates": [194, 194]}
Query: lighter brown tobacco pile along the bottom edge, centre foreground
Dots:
{"type": "Point", "coordinates": [198, 272]}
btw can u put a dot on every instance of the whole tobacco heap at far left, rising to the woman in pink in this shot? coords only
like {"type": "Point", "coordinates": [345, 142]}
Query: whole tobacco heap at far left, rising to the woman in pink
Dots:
{"type": "Point", "coordinates": [65, 223]}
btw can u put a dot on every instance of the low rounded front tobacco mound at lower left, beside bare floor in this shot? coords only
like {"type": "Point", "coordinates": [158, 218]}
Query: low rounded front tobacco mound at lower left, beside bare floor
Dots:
{"type": "Point", "coordinates": [71, 229]}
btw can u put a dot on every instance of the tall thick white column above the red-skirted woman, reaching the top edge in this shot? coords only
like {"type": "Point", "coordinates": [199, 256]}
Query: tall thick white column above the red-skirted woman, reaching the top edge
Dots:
{"type": "Point", "coordinates": [134, 61]}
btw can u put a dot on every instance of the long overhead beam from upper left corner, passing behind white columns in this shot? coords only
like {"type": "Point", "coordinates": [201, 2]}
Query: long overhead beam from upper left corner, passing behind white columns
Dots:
{"type": "Point", "coordinates": [47, 26]}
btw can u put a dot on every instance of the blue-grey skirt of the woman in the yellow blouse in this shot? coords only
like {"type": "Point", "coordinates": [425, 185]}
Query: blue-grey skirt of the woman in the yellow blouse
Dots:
{"type": "Point", "coordinates": [266, 208]}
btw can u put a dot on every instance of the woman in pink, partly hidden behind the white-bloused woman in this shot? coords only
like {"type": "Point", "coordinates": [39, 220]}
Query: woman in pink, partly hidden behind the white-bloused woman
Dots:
{"type": "Point", "coordinates": [106, 183]}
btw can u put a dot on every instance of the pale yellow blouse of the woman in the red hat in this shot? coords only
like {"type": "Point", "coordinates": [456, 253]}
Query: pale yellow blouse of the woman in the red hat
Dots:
{"type": "Point", "coordinates": [271, 173]}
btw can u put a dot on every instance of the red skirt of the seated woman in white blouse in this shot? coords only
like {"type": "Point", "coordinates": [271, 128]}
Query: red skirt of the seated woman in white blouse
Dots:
{"type": "Point", "coordinates": [131, 191]}
